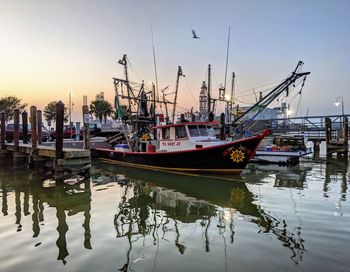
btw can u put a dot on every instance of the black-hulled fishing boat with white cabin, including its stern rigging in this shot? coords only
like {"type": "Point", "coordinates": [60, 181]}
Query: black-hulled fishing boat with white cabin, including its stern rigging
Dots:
{"type": "Point", "coordinates": [155, 143]}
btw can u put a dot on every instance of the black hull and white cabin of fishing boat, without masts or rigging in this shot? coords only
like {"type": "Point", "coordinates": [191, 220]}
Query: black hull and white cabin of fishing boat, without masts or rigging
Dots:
{"type": "Point", "coordinates": [185, 147]}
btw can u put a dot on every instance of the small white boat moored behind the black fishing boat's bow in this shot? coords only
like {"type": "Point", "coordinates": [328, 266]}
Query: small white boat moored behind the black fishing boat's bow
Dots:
{"type": "Point", "coordinates": [282, 149]}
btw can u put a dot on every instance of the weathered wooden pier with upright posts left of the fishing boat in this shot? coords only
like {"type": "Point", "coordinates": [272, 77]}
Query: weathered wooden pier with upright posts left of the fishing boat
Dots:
{"type": "Point", "coordinates": [64, 161]}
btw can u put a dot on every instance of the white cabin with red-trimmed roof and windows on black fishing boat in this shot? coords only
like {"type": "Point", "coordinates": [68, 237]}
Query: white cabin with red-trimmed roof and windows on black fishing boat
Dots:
{"type": "Point", "coordinates": [186, 136]}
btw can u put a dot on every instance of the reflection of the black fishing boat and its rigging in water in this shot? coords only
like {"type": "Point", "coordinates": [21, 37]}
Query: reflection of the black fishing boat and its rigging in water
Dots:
{"type": "Point", "coordinates": [161, 201]}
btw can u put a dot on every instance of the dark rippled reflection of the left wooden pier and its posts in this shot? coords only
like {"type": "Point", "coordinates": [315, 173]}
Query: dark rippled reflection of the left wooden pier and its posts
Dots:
{"type": "Point", "coordinates": [65, 198]}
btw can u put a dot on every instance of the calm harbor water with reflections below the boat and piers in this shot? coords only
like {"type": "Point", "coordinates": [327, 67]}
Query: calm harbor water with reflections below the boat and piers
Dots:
{"type": "Point", "coordinates": [270, 218]}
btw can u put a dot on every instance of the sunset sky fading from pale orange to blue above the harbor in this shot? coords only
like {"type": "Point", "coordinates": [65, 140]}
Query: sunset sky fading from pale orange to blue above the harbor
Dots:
{"type": "Point", "coordinates": [49, 49]}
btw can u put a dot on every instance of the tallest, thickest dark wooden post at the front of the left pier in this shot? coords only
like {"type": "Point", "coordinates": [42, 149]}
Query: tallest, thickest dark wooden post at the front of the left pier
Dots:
{"type": "Point", "coordinates": [59, 140]}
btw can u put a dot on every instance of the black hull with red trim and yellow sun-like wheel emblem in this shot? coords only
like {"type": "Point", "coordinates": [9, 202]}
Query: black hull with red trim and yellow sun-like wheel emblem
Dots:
{"type": "Point", "coordinates": [231, 157]}
